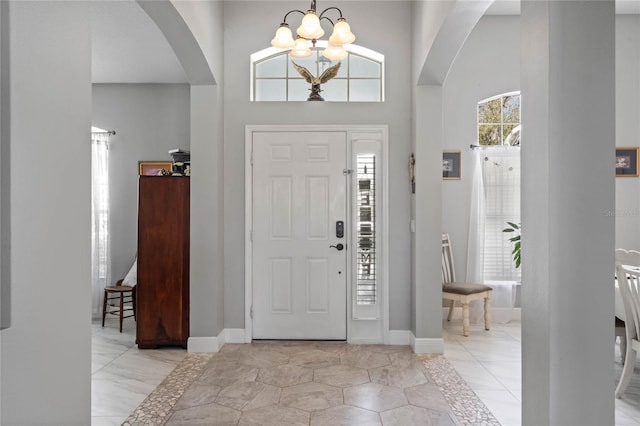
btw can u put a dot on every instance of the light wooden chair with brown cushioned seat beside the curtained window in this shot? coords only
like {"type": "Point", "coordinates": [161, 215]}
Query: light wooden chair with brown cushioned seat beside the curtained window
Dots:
{"type": "Point", "coordinates": [460, 291]}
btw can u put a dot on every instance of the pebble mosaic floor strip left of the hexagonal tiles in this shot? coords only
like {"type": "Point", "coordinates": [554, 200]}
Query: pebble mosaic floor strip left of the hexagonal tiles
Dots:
{"type": "Point", "coordinates": [157, 407]}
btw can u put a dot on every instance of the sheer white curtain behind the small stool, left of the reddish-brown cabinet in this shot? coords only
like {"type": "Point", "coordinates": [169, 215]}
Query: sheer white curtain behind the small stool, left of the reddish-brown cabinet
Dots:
{"type": "Point", "coordinates": [100, 254]}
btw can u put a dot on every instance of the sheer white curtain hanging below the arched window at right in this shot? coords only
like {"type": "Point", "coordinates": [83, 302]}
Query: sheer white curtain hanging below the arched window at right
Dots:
{"type": "Point", "coordinates": [495, 200]}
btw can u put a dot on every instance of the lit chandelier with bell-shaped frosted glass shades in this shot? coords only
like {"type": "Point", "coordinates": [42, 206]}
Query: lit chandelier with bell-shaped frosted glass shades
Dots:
{"type": "Point", "coordinates": [310, 31]}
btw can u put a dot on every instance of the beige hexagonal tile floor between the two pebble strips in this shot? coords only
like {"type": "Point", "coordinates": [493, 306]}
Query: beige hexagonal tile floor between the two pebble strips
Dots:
{"type": "Point", "coordinates": [313, 383]}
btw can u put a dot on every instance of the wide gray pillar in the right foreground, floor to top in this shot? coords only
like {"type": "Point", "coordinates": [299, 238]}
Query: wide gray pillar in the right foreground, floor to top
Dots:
{"type": "Point", "coordinates": [568, 121]}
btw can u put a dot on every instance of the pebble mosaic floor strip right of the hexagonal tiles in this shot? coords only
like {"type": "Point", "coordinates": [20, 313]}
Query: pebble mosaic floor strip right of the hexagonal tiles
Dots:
{"type": "Point", "coordinates": [464, 403]}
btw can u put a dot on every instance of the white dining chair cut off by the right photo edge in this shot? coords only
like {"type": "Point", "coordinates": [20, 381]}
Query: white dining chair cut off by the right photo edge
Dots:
{"type": "Point", "coordinates": [628, 277]}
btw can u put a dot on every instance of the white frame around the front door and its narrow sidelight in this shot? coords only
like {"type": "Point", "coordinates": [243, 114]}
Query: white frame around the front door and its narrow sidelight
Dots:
{"type": "Point", "coordinates": [355, 333]}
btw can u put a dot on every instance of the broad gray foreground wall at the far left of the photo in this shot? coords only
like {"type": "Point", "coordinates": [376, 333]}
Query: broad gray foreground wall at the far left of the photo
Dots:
{"type": "Point", "coordinates": [46, 353]}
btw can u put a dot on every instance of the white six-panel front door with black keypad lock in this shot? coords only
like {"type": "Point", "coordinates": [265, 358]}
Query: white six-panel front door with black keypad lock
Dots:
{"type": "Point", "coordinates": [299, 193]}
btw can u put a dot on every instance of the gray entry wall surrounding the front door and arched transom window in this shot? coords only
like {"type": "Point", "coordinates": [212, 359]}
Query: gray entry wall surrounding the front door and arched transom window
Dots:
{"type": "Point", "coordinates": [395, 111]}
